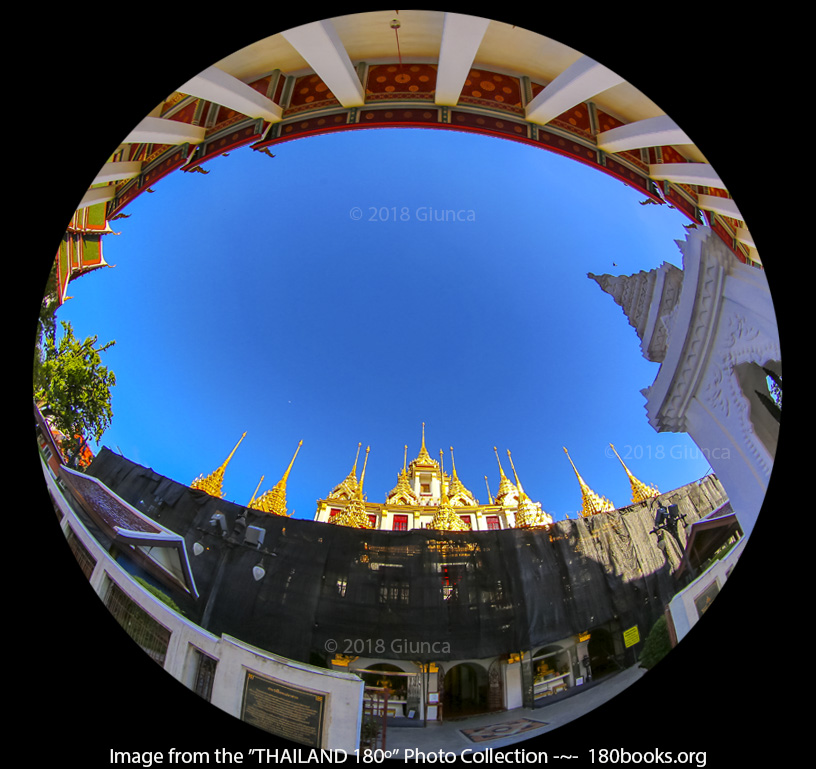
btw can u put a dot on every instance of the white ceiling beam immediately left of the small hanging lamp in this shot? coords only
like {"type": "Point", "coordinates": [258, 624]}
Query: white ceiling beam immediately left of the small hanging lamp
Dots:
{"type": "Point", "coordinates": [320, 45]}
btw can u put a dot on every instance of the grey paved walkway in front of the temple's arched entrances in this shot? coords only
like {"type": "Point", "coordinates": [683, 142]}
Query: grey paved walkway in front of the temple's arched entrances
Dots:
{"type": "Point", "coordinates": [448, 736]}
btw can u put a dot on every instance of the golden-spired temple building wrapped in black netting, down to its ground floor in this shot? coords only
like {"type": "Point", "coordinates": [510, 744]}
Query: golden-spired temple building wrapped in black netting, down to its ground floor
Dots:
{"type": "Point", "coordinates": [504, 605]}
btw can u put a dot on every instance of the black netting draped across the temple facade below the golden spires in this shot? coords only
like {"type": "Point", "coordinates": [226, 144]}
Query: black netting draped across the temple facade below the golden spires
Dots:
{"type": "Point", "coordinates": [420, 594]}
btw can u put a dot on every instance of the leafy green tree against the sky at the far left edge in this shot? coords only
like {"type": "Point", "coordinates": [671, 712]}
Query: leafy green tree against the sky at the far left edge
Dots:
{"type": "Point", "coordinates": [74, 388]}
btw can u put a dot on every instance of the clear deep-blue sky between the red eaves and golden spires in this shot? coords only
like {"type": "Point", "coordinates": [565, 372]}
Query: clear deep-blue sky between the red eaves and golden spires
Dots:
{"type": "Point", "coordinates": [309, 297]}
